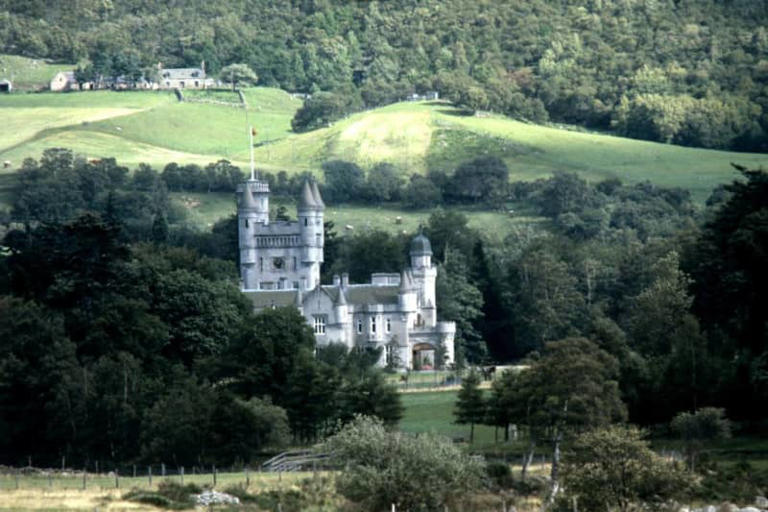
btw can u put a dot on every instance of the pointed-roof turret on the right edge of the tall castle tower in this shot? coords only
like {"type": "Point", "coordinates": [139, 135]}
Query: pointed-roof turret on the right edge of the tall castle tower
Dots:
{"type": "Point", "coordinates": [310, 214]}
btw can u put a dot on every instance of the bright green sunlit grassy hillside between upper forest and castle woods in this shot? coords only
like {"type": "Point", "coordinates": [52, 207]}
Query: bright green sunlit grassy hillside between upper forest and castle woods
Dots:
{"type": "Point", "coordinates": [153, 127]}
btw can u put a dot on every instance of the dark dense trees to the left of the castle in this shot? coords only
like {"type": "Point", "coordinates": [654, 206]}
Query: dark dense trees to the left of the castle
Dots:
{"type": "Point", "coordinates": [122, 342]}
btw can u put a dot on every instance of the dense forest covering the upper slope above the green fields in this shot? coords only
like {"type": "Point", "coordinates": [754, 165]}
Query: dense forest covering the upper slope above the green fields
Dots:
{"type": "Point", "coordinates": [689, 72]}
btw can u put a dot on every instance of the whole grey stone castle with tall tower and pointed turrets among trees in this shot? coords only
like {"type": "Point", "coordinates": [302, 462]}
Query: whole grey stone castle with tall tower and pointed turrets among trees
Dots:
{"type": "Point", "coordinates": [280, 266]}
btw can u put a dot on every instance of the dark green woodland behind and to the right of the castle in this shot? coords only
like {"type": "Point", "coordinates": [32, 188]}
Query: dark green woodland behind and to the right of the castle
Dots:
{"type": "Point", "coordinates": [669, 289]}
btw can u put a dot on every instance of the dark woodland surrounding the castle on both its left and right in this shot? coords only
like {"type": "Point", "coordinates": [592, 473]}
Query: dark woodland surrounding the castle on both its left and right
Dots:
{"type": "Point", "coordinates": [116, 310]}
